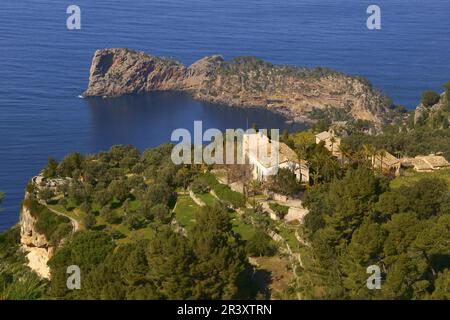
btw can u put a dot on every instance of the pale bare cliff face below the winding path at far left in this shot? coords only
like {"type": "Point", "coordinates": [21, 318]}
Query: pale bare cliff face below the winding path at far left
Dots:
{"type": "Point", "coordinates": [37, 247]}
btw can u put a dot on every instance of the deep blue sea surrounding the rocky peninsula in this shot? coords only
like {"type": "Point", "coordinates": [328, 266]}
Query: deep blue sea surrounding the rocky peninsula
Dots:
{"type": "Point", "coordinates": [44, 66]}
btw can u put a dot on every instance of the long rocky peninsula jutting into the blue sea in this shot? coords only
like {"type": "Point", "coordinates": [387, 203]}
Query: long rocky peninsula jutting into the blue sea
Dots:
{"type": "Point", "coordinates": [291, 91]}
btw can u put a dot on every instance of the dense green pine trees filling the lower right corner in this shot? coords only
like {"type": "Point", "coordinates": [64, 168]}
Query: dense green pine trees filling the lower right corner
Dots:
{"type": "Point", "coordinates": [359, 221]}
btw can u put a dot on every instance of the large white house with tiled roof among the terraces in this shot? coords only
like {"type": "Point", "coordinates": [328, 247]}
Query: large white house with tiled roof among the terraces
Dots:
{"type": "Point", "coordinates": [257, 149]}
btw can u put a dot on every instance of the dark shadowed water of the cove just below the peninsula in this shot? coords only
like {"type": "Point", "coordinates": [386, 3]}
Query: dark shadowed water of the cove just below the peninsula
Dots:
{"type": "Point", "coordinates": [147, 120]}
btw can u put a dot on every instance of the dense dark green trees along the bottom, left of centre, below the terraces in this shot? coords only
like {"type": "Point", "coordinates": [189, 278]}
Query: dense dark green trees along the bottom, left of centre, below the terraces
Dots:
{"type": "Point", "coordinates": [209, 264]}
